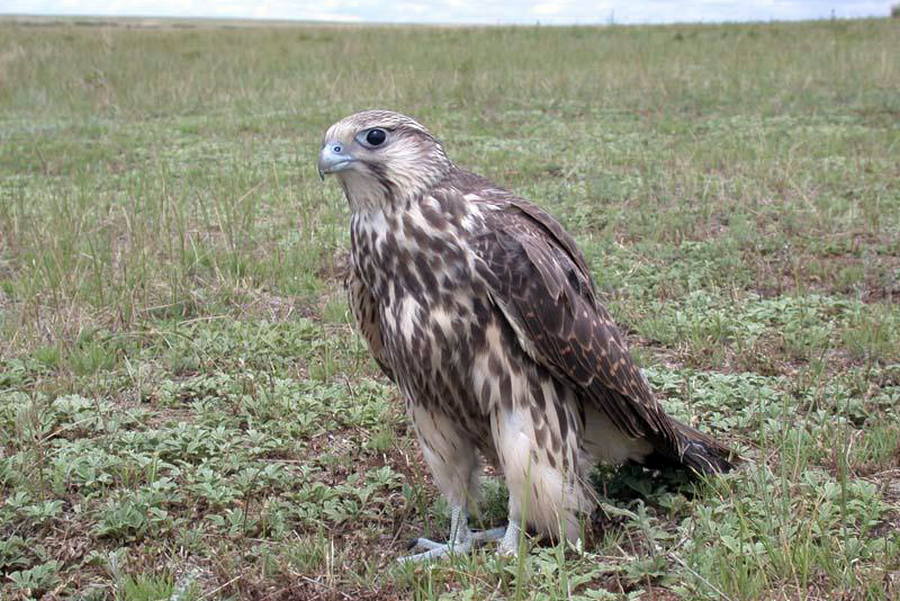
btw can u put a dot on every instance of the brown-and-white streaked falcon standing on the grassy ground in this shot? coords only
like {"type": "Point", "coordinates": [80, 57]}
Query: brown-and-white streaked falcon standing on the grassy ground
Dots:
{"type": "Point", "coordinates": [481, 308]}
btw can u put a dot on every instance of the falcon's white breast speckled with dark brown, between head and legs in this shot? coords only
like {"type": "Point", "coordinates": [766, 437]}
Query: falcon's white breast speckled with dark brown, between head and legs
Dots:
{"type": "Point", "coordinates": [433, 311]}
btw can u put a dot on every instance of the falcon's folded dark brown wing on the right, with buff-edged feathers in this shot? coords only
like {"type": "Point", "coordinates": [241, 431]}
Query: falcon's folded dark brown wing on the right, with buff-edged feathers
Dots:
{"type": "Point", "coordinates": [540, 280]}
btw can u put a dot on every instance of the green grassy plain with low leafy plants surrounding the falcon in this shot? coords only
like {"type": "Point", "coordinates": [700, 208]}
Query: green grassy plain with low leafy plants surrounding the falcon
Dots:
{"type": "Point", "coordinates": [186, 413]}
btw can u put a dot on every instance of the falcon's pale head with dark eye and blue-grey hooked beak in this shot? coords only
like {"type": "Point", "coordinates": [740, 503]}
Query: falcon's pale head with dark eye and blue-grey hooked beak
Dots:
{"type": "Point", "coordinates": [381, 156]}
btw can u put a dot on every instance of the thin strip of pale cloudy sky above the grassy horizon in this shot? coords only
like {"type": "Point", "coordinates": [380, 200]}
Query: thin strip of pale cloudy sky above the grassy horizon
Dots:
{"type": "Point", "coordinates": [551, 12]}
